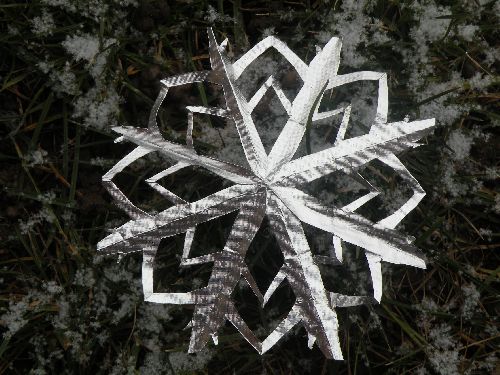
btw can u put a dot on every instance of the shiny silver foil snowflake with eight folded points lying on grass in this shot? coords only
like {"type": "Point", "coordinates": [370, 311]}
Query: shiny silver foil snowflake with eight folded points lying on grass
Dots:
{"type": "Point", "coordinates": [271, 187]}
